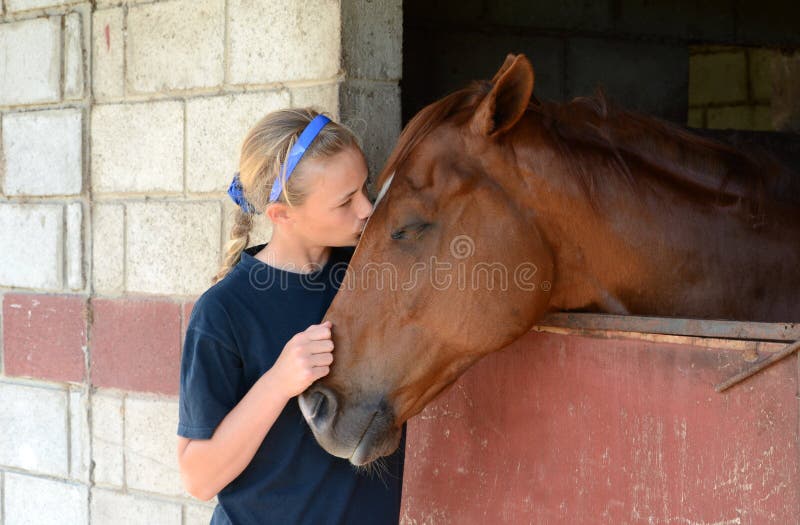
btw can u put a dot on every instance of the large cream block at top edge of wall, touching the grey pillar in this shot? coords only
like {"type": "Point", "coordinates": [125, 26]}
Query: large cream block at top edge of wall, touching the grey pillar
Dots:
{"type": "Point", "coordinates": [283, 40]}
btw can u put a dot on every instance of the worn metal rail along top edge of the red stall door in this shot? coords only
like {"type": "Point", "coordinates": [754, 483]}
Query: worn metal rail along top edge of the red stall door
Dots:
{"type": "Point", "coordinates": [675, 326]}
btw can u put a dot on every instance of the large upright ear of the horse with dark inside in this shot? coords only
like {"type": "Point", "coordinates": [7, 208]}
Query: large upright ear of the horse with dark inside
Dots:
{"type": "Point", "coordinates": [508, 99]}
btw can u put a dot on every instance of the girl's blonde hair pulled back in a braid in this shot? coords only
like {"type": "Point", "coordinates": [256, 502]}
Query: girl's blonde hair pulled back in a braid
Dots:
{"type": "Point", "coordinates": [264, 150]}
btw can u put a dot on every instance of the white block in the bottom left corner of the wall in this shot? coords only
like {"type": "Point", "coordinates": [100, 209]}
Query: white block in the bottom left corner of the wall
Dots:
{"type": "Point", "coordinates": [30, 500]}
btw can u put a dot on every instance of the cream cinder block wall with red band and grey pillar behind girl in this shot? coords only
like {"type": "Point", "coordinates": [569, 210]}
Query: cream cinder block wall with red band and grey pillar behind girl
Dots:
{"type": "Point", "coordinates": [120, 124]}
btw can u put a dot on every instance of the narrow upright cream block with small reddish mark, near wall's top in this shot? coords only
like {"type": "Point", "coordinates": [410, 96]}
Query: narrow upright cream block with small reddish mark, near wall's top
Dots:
{"type": "Point", "coordinates": [108, 54]}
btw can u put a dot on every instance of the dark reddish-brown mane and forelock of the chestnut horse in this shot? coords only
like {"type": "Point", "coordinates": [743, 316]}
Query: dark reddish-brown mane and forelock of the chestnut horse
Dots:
{"type": "Point", "coordinates": [589, 130]}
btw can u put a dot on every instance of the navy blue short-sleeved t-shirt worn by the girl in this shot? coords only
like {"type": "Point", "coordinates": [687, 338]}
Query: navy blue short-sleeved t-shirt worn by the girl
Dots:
{"type": "Point", "coordinates": [237, 330]}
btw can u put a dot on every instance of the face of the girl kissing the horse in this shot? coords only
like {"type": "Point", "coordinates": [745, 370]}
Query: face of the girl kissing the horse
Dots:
{"type": "Point", "coordinates": [337, 207]}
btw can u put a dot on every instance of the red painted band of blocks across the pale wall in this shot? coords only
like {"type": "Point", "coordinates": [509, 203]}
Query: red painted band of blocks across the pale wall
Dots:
{"type": "Point", "coordinates": [132, 343]}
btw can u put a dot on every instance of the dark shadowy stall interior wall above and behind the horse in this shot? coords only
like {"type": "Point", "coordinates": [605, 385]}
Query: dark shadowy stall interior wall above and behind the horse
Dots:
{"type": "Point", "coordinates": [636, 50]}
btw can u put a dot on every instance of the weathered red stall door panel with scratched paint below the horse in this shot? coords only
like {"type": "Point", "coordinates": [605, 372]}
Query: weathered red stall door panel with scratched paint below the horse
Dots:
{"type": "Point", "coordinates": [572, 429]}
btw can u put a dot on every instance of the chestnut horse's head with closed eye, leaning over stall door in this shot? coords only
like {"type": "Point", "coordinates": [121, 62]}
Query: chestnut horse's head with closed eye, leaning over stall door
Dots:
{"type": "Point", "coordinates": [449, 268]}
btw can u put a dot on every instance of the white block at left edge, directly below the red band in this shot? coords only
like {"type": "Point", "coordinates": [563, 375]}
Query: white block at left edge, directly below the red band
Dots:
{"type": "Point", "coordinates": [34, 437]}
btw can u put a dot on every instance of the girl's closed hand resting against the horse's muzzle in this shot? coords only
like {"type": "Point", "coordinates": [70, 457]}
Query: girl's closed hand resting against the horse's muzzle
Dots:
{"type": "Point", "coordinates": [305, 358]}
